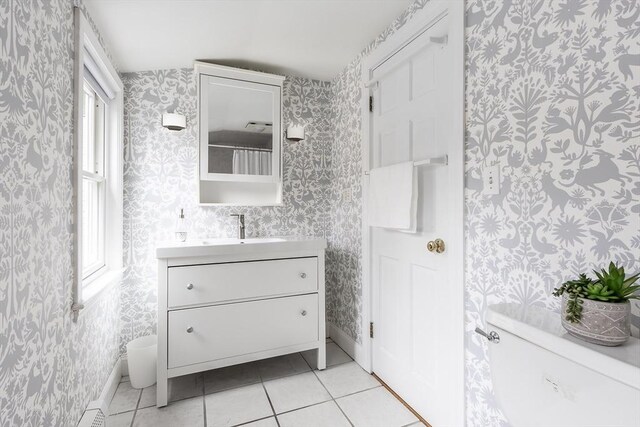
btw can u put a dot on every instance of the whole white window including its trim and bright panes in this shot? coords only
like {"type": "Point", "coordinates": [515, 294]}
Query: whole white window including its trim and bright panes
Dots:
{"type": "Point", "coordinates": [98, 158]}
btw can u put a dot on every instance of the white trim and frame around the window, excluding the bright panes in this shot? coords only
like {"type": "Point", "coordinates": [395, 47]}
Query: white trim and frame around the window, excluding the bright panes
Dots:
{"type": "Point", "coordinates": [89, 55]}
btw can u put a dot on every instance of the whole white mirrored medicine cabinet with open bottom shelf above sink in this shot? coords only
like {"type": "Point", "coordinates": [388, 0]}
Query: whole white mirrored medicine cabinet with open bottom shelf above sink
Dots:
{"type": "Point", "coordinates": [240, 133]}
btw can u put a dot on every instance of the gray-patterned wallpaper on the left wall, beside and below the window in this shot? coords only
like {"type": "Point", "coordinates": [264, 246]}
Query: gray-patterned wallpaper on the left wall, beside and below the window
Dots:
{"type": "Point", "coordinates": [50, 367]}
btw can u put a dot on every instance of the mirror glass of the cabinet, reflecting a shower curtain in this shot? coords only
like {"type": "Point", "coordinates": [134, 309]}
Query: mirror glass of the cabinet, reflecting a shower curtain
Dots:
{"type": "Point", "coordinates": [240, 139]}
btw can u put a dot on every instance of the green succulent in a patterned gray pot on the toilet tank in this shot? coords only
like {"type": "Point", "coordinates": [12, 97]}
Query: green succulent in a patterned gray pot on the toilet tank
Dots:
{"type": "Point", "coordinates": [598, 310]}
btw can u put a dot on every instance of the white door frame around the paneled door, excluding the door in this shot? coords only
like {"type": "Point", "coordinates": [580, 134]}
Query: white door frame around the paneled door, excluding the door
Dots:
{"type": "Point", "coordinates": [423, 19]}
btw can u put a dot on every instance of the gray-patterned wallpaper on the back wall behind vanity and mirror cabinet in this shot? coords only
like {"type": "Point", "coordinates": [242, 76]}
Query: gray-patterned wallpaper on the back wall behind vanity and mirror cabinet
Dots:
{"type": "Point", "coordinates": [161, 177]}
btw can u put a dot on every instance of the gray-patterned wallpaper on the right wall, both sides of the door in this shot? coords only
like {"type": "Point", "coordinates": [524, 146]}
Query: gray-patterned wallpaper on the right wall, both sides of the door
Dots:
{"type": "Point", "coordinates": [553, 96]}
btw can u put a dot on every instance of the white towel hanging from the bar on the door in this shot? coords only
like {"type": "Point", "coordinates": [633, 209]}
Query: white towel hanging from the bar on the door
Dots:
{"type": "Point", "coordinates": [393, 197]}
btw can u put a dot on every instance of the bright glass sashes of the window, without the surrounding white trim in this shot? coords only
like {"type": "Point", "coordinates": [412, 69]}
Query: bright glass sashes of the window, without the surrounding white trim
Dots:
{"type": "Point", "coordinates": [94, 181]}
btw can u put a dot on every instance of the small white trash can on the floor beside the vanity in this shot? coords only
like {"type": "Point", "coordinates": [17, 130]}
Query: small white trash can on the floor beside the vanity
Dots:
{"type": "Point", "coordinates": [142, 358]}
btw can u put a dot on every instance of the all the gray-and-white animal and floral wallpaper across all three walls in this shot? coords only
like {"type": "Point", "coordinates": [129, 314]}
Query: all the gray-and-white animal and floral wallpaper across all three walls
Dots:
{"type": "Point", "coordinates": [553, 96]}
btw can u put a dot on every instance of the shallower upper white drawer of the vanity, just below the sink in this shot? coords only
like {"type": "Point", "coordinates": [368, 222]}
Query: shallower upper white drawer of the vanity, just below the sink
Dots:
{"type": "Point", "coordinates": [210, 283]}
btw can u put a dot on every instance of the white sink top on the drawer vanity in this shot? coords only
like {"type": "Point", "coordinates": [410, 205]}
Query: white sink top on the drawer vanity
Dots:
{"type": "Point", "coordinates": [204, 247]}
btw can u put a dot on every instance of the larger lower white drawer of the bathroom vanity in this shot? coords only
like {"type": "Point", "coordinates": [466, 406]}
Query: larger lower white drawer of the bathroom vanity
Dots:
{"type": "Point", "coordinates": [229, 330]}
